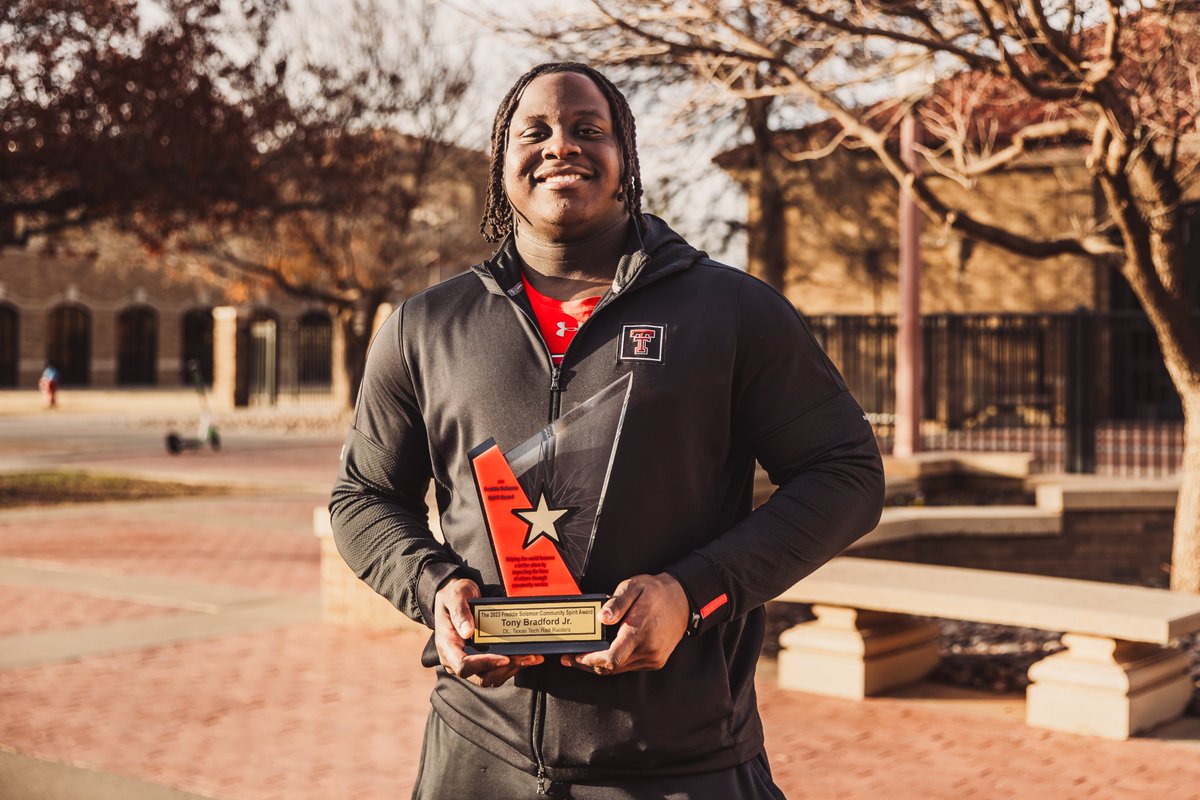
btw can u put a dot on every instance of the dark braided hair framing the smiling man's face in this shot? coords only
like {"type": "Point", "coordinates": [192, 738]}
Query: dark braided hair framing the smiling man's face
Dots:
{"type": "Point", "coordinates": [497, 221]}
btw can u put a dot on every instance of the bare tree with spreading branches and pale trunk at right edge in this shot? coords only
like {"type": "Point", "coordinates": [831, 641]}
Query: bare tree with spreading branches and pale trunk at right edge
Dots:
{"type": "Point", "coordinates": [1120, 81]}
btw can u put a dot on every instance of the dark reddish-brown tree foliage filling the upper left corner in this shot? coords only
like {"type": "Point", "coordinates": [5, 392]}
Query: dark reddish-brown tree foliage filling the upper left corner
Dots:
{"type": "Point", "coordinates": [106, 117]}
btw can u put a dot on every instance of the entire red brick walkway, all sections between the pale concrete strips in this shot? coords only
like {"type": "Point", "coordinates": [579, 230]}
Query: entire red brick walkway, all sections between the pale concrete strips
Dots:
{"type": "Point", "coordinates": [315, 712]}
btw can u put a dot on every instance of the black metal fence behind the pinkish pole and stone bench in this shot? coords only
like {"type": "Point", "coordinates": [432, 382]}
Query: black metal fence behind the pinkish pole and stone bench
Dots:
{"type": "Point", "coordinates": [1084, 392]}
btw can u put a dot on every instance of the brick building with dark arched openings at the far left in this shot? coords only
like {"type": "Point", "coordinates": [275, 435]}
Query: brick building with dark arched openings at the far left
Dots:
{"type": "Point", "coordinates": [131, 326]}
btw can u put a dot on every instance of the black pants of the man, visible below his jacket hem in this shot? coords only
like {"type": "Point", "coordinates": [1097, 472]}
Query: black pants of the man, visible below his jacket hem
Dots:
{"type": "Point", "coordinates": [455, 769]}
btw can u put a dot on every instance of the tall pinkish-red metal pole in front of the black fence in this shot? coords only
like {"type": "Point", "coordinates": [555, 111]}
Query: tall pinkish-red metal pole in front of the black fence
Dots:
{"type": "Point", "coordinates": [909, 401]}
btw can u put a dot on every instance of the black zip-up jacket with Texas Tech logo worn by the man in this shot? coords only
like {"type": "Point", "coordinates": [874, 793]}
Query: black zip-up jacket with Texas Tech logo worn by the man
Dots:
{"type": "Point", "coordinates": [739, 378]}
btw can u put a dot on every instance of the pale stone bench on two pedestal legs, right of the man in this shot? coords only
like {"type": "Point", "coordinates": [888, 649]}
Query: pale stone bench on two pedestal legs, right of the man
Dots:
{"type": "Point", "coordinates": [1118, 676]}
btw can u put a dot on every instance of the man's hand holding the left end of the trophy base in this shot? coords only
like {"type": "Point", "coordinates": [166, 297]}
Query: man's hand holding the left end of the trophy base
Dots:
{"type": "Point", "coordinates": [453, 625]}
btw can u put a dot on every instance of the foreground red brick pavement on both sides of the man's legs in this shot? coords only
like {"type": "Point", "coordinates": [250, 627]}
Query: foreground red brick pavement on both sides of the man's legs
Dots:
{"type": "Point", "coordinates": [317, 712]}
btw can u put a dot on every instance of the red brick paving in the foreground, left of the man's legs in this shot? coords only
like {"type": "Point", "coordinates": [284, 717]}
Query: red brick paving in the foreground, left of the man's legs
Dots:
{"type": "Point", "coordinates": [307, 712]}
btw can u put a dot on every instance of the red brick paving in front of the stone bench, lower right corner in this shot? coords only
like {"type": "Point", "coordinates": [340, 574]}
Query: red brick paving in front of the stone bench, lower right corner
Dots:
{"type": "Point", "coordinates": [886, 748]}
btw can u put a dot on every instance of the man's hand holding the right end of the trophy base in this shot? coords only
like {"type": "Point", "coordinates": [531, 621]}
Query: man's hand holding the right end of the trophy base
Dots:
{"type": "Point", "coordinates": [655, 609]}
